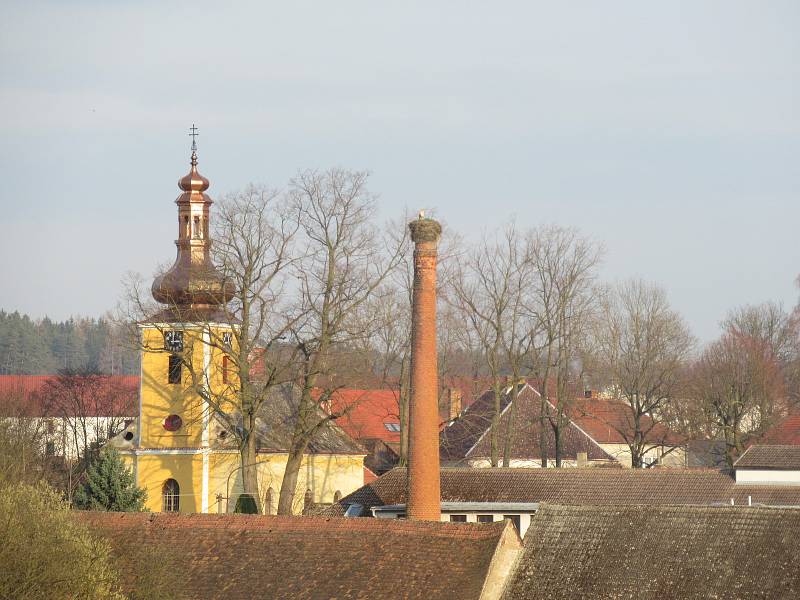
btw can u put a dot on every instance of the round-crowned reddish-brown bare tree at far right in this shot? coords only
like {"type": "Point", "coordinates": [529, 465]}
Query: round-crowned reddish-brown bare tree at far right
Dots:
{"type": "Point", "coordinates": [739, 387]}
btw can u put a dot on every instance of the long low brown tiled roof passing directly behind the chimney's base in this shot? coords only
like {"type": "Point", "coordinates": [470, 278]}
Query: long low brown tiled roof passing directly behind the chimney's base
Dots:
{"type": "Point", "coordinates": [596, 487]}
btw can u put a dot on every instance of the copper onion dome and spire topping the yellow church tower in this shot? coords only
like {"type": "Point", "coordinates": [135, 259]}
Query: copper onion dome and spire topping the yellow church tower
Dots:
{"type": "Point", "coordinates": [193, 285]}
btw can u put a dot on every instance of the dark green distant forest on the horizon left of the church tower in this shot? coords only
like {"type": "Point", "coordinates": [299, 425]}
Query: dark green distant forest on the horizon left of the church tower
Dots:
{"type": "Point", "coordinates": [43, 346]}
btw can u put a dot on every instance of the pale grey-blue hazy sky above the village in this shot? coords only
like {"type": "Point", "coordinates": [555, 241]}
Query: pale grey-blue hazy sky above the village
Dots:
{"type": "Point", "coordinates": [669, 132]}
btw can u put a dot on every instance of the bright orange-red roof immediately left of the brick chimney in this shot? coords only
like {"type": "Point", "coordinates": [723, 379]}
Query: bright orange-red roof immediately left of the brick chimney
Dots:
{"type": "Point", "coordinates": [368, 414]}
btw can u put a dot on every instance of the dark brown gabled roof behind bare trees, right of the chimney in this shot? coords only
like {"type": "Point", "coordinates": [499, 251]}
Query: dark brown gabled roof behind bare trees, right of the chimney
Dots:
{"type": "Point", "coordinates": [468, 437]}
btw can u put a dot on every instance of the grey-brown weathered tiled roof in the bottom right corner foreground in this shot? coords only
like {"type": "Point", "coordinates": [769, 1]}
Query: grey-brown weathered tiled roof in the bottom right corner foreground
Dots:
{"type": "Point", "coordinates": [659, 553]}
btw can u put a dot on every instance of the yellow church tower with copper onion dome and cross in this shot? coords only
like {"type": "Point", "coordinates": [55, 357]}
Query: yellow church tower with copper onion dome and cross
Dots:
{"type": "Point", "coordinates": [184, 346]}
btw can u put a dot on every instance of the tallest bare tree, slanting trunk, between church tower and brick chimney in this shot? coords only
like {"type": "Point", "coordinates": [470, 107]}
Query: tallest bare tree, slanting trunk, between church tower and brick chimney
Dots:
{"type": "Point", "coordinates": [346, 262]}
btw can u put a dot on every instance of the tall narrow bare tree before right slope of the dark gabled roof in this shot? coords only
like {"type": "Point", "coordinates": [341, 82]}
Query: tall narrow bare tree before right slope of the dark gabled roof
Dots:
{"type": "Point", "coordinates": [561, 300]}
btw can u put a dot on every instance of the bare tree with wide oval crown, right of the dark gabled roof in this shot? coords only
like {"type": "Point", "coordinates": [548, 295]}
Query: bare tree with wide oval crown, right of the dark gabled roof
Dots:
{"type": "Point", "coordinates": [641, 346]}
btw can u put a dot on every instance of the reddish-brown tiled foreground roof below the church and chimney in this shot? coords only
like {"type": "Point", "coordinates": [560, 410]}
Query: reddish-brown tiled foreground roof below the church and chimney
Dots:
{"type": "Point", "coordinates": [237, 556]}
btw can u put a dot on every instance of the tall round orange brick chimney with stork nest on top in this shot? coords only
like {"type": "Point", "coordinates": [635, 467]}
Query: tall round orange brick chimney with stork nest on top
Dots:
{"type": "Point", "coordinates": [424, 494]}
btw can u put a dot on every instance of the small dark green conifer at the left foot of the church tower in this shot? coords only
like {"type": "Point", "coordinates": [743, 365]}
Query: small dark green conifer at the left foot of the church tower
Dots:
{"type": "Point", "coordinates": [109, 486]}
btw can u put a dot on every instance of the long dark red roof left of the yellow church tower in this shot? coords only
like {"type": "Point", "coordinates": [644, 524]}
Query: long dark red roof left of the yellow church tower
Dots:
{"type": "Point", "coordinates": [32, 396]}
